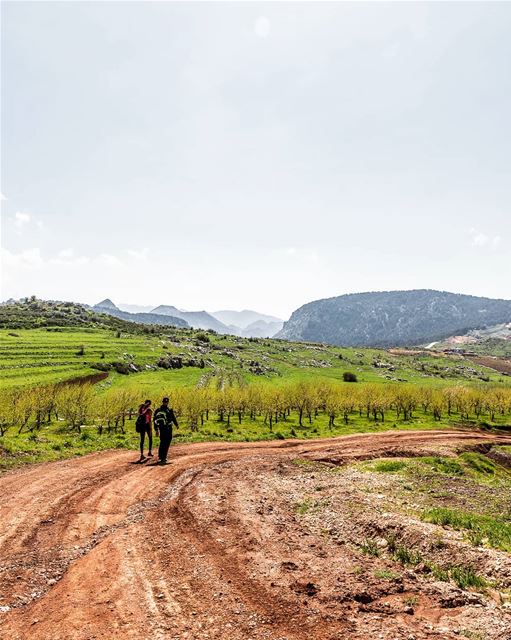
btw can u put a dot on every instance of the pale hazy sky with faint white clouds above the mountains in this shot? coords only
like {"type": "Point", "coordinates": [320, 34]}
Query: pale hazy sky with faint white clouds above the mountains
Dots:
{"type": "Point", "coordinates": [254, 155]}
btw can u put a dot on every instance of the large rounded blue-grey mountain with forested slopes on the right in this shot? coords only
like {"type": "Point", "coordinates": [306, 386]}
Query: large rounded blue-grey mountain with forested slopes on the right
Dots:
{"type": "Point", "coordinates": [393, 318]}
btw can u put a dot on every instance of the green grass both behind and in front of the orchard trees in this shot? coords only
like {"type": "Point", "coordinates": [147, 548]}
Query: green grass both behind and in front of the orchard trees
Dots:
{"type": "Point", "coordinates": [35, 357]}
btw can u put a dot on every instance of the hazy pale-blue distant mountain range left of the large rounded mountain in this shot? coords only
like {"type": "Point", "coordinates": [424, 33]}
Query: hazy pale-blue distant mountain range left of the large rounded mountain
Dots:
{"type": "Point", "coordinates": [243, 323]}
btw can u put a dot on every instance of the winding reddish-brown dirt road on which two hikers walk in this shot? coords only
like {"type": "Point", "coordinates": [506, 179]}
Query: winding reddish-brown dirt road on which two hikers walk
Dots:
{"type": "Point", "coordinates": [99, 547]}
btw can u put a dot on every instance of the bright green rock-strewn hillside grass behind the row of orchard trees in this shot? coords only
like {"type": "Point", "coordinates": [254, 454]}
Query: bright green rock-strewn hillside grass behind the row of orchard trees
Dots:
{"type": "Point", "coordinates": [30, 357]}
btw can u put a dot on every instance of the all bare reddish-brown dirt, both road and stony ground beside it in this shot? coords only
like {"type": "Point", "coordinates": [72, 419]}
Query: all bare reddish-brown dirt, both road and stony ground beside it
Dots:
{"type": "Point", "coordinates": [215, 546]}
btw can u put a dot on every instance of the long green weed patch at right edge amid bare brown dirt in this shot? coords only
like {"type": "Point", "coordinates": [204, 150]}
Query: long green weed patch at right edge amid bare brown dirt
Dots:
{"type": "Point", "coordinates": [497, 532]}
